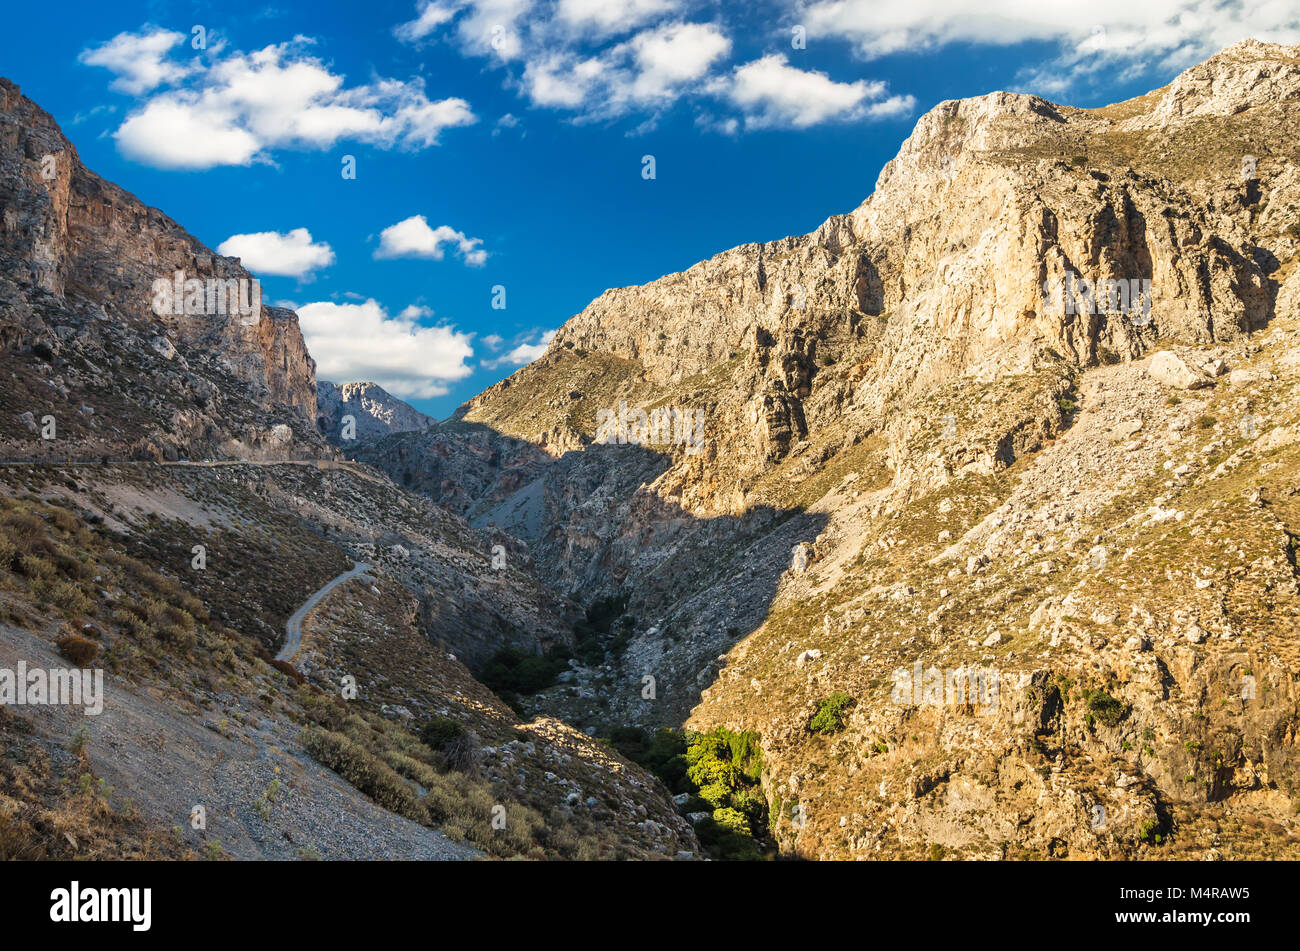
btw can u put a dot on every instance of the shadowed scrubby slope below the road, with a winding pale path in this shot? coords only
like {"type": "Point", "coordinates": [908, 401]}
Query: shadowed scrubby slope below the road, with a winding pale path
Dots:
{"type": "Point", "coordinates": [280, 755]}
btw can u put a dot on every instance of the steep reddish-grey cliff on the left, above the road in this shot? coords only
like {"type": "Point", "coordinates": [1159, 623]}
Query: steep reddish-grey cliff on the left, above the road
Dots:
{"type": "Point", "coordinates": [80, 260]}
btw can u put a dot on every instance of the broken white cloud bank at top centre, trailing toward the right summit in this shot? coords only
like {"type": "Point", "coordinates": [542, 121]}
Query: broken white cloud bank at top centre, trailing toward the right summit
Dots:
{"type": "Point", "coordinates": [603, 60]}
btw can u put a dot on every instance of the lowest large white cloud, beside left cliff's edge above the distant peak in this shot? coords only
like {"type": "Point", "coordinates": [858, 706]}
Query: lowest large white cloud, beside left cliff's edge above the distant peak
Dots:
{"type": "Point", "coordinates": [362, 342]}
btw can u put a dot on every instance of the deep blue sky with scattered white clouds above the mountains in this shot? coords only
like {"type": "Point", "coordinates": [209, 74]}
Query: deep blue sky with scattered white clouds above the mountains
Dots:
{"type": "Point", "coordinates": [501, 144]}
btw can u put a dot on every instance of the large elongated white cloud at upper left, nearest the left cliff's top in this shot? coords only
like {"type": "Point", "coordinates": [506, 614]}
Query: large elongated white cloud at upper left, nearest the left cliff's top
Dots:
{"type": "Point", "coordinates": [240, 108]}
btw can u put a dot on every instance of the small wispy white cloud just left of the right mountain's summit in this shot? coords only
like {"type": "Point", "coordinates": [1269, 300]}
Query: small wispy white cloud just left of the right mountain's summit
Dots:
{"type": "Point", "coordinates": [774, 94]}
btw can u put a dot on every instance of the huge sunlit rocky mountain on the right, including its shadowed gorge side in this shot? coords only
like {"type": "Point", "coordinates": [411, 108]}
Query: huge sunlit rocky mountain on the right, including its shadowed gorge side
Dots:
{"type": "Point", "coordinates": [1032, 410]}
